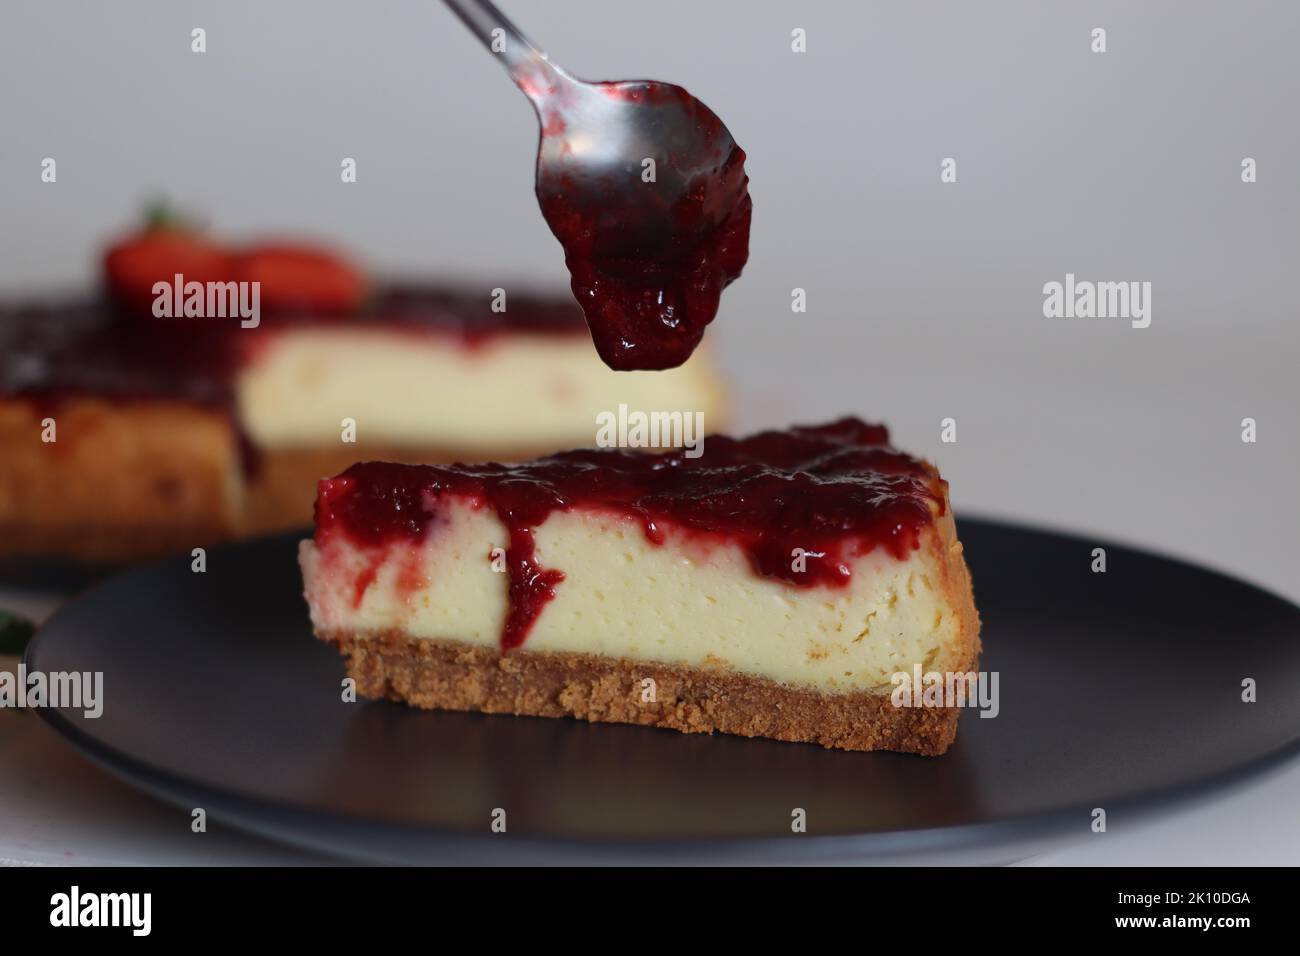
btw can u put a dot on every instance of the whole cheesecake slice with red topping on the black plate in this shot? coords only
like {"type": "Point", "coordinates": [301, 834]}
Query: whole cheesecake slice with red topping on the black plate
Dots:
{"type": "Point", "coordinates": [773, 587]}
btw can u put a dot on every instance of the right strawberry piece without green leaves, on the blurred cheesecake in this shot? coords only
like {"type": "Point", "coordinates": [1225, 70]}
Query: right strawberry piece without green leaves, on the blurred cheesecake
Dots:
{"type": "Point", "coordinates": [301, 278]}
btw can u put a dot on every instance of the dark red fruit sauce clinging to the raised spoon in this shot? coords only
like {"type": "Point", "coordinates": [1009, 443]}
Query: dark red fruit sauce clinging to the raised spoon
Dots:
{"type": "Point", "coordinates": [649, 292]}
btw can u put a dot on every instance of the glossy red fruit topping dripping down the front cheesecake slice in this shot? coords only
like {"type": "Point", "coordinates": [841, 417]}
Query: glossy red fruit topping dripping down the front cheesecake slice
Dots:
{"type": "Point", "coordinates": [834, 491]}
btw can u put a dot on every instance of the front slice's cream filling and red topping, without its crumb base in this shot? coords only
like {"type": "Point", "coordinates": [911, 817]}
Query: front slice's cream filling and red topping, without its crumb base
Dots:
{"type": "Point", "coordinates": [818, 556]}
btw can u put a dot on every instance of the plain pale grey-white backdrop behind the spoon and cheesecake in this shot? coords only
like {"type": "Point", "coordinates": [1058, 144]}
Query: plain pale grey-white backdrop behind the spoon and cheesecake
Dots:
{"type": "Point", "coordinates": [925, 300]}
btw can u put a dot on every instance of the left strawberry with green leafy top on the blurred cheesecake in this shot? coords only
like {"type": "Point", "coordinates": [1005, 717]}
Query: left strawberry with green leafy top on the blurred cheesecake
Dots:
{"type": "Point", "coordinates": [157, 254]}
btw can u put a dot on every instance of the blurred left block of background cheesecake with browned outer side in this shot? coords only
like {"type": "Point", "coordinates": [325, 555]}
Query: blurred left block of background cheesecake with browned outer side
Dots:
{"type": "Point", "coordinates": [116, 443]}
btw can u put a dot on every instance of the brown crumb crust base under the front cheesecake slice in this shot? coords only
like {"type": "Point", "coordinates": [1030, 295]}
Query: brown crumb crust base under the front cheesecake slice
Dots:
{"type": "Point", "coordinates": [453, 676]}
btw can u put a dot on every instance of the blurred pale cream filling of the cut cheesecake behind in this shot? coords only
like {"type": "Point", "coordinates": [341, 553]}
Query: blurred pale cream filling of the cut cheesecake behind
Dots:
{"type": "Point", "coordinates": [528, 392]}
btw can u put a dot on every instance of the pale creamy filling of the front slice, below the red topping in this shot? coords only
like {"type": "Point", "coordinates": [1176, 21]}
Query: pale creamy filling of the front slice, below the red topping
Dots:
{"type": "Point", "coordinates": [688, 600]}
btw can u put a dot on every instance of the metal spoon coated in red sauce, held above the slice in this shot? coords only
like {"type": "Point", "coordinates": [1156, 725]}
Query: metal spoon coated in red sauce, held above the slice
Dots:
{"type": "Point", "coordinates": [644, 188]}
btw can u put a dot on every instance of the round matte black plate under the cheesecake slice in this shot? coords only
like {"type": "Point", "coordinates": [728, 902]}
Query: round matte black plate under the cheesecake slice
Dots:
{"type": "Point", "coordinates": [1119, 691]}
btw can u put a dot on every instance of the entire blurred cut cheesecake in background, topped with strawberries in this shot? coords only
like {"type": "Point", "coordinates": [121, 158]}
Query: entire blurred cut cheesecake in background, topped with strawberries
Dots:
{"type": "Point", "coordinates": [129, 435]}
